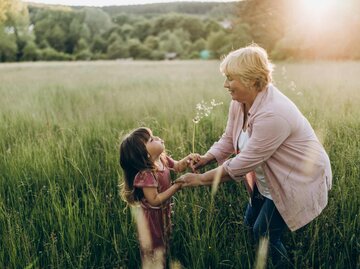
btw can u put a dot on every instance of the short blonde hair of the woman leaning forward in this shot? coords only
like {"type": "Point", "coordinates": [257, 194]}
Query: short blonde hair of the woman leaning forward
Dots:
{"type": "Point", "coordinates": [249, 64]}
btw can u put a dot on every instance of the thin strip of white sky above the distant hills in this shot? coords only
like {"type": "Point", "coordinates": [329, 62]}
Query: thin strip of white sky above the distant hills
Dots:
{"type": "Point", "coordinates": [100, 3]}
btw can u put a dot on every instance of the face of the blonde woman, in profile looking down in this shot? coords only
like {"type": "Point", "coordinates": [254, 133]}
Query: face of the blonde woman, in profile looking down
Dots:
{"type": "Point", "coordinates": [238, 91]}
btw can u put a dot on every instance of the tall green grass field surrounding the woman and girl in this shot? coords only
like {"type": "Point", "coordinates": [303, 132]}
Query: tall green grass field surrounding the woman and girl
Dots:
{"type": "Point", "coordinates": [60, 127]}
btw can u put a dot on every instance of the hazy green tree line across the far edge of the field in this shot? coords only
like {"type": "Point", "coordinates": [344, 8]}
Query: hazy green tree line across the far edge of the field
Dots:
{"type": "Point", "coordinates": [182, 30]}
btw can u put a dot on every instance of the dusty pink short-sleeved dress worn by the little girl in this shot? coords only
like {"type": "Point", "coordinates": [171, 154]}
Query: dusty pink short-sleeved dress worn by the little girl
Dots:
{"type": "Point", "coordinates": [158, 218]}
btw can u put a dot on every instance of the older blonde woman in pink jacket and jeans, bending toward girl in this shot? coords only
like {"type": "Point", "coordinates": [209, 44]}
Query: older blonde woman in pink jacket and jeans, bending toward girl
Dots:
{"type": "Point", "coordinates": [285, 167]}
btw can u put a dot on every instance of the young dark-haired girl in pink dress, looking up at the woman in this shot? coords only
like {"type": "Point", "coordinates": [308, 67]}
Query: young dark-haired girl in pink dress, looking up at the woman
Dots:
{"type": "Point", "coordinates": [147, 182]}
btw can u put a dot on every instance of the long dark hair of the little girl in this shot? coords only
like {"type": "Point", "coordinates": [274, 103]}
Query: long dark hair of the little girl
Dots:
{"type": "Point", "coordinates": [133, 159]}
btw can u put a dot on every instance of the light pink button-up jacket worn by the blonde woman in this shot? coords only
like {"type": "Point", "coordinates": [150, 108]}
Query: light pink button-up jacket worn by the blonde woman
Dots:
{"type": "Point", "coordinates": [281, 140]}
